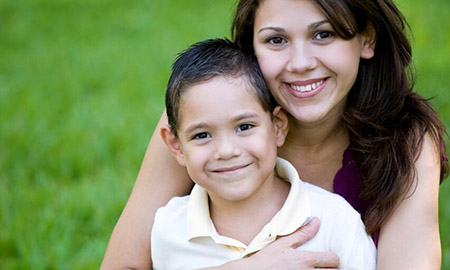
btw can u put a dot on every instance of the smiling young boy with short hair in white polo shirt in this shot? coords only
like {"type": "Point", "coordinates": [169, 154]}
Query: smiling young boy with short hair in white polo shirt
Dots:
{"type": "Point", "coordinates": [225, 130]}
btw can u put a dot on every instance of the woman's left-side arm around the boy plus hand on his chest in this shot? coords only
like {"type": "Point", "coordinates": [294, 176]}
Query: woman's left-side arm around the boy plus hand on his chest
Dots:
{"type": "Point", "coordinates": [161, 178]}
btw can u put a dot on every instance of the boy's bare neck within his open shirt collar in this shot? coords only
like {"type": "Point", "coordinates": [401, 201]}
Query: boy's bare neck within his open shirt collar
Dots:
{"type": "Point", "coordinates": [243, 220]}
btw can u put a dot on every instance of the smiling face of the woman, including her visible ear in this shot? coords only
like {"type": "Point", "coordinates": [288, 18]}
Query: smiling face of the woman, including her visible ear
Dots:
{"type": "Point", "coordinates": [308, 68]}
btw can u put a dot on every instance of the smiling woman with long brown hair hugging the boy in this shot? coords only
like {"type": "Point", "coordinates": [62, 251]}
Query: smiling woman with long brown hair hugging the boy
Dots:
{"type": "Point", "coordinates": [340, 68]}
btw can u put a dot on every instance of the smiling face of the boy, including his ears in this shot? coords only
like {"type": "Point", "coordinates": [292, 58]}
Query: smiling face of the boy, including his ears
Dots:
{"type": "Point", "coordinates": [226, 140]}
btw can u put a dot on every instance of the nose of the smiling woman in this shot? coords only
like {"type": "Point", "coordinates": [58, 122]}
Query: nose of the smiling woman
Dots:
{"type": "Point", "coordinates": [301, 58]}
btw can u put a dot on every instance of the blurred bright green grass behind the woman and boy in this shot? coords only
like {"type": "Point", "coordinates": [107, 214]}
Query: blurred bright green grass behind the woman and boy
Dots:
{"type": "Point", "coordinates": [81, 90]}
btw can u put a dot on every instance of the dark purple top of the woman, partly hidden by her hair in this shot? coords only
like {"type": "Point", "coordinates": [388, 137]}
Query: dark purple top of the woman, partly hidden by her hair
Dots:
{"type": "Point", "coordinates": [348, 185]}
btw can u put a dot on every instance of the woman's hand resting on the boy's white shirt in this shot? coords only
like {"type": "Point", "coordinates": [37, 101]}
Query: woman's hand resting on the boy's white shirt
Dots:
{"type": "Point", "coordinates": [282, 254]}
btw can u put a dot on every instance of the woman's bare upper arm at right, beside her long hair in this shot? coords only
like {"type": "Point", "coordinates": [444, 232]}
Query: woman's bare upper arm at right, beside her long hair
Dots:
{"type": "Point", "coordinates": [410, 237]}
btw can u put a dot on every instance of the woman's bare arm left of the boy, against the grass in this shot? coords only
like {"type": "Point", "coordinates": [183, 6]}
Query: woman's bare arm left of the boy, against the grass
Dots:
{"type": "Point", "coordinates": [159, 179]}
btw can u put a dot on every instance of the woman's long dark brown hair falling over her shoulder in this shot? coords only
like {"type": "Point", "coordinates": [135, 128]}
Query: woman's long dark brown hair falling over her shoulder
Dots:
{"type": "Point", "coordinates": [385, 119]}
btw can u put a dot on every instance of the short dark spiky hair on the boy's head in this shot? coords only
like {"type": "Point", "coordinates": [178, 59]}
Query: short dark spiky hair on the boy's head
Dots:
{"type": "Point", "coordinates": [205, 60]}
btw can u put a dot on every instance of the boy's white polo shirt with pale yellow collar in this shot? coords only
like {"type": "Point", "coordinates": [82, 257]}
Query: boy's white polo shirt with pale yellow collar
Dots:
{"type": "Point", "coordinates": [184, 236]}
